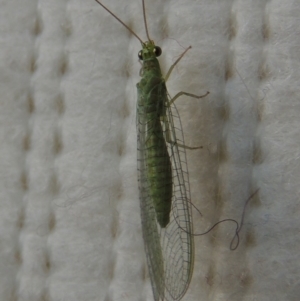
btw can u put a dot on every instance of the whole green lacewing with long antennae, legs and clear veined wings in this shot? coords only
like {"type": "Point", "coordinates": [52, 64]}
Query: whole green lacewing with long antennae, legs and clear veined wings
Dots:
{"type": "Point", "coordinates": [162, 176]}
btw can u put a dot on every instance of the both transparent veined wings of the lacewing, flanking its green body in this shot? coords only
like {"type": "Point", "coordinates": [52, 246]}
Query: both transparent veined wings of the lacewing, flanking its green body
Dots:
{"type": "Point", "coordinates": [169, 250]}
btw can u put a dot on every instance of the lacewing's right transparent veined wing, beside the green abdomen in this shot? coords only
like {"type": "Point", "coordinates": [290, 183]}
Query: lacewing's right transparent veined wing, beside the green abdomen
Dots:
{"type": "Point", "coordinates": [177, 241]}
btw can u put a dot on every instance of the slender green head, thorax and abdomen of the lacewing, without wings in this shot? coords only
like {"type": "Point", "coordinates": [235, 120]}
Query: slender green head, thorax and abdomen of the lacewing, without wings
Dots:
{"type": "Point", "coordinates": [152, 102]}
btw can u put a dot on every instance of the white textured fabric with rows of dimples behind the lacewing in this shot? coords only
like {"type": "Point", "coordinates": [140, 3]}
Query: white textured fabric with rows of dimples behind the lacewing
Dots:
{"type": "Point", "coordinates": [69, 211]}
